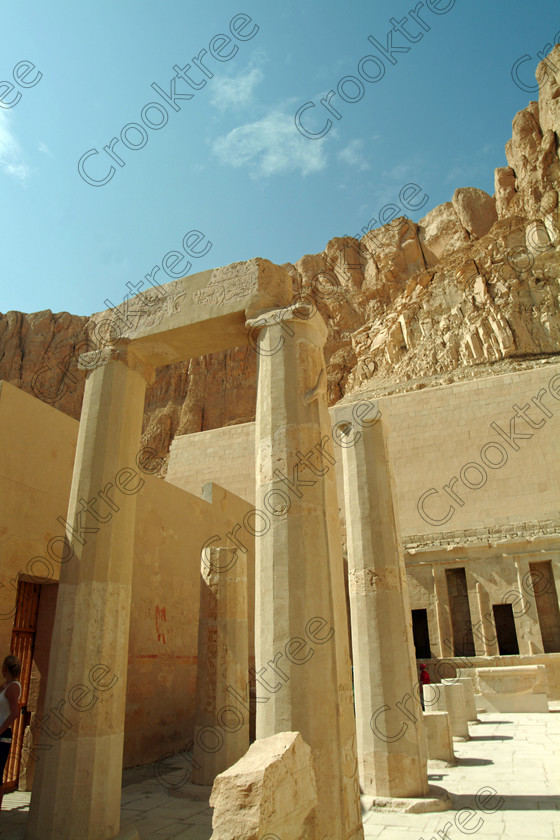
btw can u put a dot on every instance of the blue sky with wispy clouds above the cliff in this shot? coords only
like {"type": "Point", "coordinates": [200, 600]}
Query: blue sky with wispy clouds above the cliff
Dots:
{"type": "Point", "coordinates": [230, 162]}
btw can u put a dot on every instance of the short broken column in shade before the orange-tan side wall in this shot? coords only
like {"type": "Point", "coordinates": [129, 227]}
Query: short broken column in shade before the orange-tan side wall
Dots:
{"type": "Point", "coordinates": [221, 735]}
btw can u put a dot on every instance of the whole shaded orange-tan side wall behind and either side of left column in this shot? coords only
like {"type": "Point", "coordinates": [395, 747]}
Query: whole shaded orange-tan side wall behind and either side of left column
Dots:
{"type": "Point", "coordinates": [36, 459]}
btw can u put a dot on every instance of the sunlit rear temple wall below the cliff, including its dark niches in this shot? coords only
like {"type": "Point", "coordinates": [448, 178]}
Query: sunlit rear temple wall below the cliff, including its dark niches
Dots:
{"type": "Point", "coordinates": [495, 533]}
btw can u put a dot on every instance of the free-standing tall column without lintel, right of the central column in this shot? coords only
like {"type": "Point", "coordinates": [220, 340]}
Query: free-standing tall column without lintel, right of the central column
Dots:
{"type": "Point", "coordinates": [391, 741]}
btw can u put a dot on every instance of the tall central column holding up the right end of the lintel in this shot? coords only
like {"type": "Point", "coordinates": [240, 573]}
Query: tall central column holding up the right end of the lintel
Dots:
{"type": "Point", "coordinates": [303, 670]}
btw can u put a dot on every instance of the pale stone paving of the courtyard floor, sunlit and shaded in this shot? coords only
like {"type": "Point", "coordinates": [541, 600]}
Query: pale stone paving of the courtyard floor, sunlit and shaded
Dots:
{"type": "Point", "coordinates": [506, 783]}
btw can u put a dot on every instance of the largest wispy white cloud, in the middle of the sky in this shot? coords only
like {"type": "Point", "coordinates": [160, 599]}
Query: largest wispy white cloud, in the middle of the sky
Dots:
{"type": "Point", "coordinates": [271, 146]}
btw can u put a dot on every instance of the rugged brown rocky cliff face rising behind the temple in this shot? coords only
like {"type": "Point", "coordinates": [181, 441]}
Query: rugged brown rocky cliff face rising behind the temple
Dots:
{"type": "Point", "coordinates": [471, 289]}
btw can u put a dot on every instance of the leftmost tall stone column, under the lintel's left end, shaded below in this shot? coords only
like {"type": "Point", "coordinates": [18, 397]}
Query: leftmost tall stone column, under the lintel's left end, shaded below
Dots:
{"type": "Point", "coordinates": [77, 785]}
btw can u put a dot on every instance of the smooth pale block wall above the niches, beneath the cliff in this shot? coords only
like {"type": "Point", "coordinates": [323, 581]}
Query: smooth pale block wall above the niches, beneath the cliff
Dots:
{"type": "Point", "coordinates": [435, 435]}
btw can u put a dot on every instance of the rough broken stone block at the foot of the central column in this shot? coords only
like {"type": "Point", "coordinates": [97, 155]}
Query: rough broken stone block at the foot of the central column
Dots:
{"type": "Point", "coordinates": [269, 792]}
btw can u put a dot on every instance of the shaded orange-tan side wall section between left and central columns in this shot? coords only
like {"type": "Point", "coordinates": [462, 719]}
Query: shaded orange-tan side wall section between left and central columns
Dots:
{"type": "Point", "coordinates": [171, 528]}
